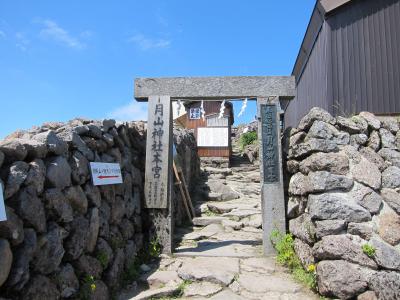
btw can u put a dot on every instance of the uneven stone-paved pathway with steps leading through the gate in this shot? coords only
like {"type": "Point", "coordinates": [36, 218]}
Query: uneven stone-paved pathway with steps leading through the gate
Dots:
{"type": "Point", "coordinates": [220, 257]}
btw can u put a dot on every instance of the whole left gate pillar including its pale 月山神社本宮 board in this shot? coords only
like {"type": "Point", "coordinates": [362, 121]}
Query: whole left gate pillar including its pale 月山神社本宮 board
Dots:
{"type": "Point", "coordinates": [158, 176]}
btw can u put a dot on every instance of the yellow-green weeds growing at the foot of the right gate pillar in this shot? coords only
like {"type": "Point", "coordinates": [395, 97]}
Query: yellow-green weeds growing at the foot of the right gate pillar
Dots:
{"type": "Point", "coordinates": [284, 245]}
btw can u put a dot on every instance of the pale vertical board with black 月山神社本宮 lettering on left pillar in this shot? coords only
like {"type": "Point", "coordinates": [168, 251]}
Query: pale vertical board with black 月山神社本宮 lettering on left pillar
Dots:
{"type": "Point", "coordinates": [157, 155]}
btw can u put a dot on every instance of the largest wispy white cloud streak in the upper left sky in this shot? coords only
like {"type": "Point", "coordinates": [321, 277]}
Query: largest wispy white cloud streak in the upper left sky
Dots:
{"type": "Point", "coordinates": [56, 33]}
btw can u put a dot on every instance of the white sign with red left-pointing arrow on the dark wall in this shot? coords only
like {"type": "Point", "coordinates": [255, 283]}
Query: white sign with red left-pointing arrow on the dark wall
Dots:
{"type": "Point", "coordinates": [106, 173]}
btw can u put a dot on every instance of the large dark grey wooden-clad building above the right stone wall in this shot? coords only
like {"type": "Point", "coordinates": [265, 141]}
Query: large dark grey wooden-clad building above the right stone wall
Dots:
{"type": "Point", "coordinates": [349, 60]}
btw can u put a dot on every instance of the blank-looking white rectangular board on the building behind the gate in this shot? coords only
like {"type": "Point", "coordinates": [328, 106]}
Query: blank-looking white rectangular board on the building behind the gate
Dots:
{"type": "Point", "coordinates": [212, 137]}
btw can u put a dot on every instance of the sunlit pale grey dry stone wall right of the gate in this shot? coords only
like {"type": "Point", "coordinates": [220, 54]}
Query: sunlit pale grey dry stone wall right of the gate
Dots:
{"type": "Point", "coordinates": [344, 202]}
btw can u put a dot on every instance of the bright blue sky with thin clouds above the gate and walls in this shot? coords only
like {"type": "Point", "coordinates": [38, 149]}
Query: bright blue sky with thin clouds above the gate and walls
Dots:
{"type": "Point", "coordinates": [66, 59]}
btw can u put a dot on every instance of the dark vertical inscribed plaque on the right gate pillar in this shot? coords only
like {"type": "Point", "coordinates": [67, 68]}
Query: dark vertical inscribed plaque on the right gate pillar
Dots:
{"type": "Point", "coordinates": [269, 132]}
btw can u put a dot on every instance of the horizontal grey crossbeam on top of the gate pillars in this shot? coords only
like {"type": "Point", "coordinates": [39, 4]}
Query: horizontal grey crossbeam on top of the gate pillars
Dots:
{"type": "Point", "coordinates": [214, 88]}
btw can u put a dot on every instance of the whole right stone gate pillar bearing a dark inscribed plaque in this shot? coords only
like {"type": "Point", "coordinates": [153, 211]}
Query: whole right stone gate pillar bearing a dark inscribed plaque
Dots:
{"type": "Point", "coordinates": [272, 193]}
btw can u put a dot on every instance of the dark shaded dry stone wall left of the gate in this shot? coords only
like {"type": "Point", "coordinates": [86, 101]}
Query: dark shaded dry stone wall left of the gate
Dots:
{"type": "Point", "coordinates": [64, 236]}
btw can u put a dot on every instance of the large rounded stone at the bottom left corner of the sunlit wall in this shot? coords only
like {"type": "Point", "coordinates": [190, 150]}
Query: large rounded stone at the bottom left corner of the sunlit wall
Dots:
{"type": "Point", "coordinates": [340, 279]}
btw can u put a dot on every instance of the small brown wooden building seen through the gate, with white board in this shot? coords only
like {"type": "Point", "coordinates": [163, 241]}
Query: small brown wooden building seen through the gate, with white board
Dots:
{"type": "Point", "coordinates": [213, 134]}
